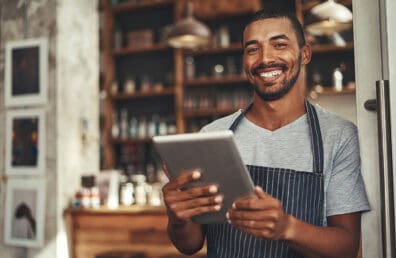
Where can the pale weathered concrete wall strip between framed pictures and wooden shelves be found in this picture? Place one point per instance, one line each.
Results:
(77, 98)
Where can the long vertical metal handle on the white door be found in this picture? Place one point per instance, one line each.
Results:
(386, 176)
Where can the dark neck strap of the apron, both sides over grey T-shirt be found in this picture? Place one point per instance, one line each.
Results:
(316, 135)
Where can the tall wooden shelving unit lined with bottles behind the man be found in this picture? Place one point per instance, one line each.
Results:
(185, 89)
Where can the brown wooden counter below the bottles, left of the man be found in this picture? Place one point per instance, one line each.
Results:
(122, 233)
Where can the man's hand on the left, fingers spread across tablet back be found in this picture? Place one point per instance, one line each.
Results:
(185, 202)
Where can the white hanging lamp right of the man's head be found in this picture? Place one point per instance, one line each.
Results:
(334, 18)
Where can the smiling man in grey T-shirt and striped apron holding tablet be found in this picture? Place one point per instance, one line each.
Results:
(304, 161)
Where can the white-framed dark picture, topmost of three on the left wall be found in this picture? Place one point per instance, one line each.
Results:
(26, 72)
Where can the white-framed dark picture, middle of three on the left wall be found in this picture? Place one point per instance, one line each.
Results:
(25, 142)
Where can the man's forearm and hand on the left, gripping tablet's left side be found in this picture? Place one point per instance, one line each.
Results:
(187, 236)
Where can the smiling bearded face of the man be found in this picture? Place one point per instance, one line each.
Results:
(272, 58)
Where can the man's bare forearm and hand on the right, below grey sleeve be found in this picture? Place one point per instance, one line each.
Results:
(263, 216)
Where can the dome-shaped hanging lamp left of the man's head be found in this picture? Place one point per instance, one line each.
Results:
(189, 32)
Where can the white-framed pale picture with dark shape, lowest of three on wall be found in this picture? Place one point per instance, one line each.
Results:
(24, 223)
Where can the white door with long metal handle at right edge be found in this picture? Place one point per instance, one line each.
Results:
(375, 60)
